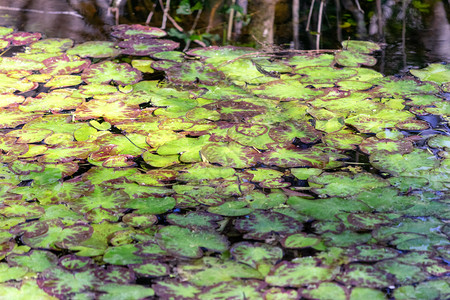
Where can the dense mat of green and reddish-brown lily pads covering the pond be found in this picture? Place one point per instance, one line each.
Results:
(240, 175)
